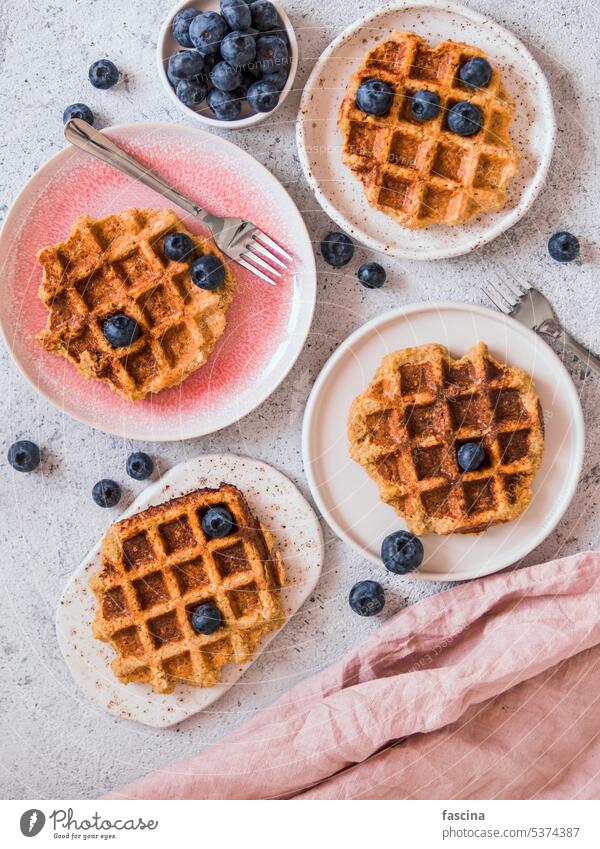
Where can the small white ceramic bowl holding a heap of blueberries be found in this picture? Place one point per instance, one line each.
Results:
(167, 45)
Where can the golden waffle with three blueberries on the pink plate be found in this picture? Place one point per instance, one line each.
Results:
(116, 264)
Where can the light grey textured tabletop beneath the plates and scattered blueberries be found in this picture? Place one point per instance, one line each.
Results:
(54, 744)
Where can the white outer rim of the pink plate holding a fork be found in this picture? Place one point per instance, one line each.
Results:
(308, 303)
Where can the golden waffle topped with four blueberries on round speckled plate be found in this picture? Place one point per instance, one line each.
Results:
(421, 173)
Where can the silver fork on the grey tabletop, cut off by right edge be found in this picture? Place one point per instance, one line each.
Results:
(516, 297)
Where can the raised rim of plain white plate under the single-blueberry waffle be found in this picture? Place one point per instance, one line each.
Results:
(402, 312)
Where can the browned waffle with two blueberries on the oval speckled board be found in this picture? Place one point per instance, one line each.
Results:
(158, 565)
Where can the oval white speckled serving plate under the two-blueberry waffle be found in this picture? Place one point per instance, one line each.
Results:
(283, 509)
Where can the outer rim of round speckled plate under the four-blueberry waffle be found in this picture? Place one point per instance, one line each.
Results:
(479, 239)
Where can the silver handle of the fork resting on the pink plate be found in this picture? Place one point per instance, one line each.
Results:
(84, 136)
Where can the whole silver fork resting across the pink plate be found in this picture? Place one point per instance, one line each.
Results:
(240, 240)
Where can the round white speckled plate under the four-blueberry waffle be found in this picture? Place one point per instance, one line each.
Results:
(320, 143)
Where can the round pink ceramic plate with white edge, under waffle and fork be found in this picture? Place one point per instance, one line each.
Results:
(266, 325)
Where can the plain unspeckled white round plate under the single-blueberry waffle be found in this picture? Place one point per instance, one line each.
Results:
(348, 498)
